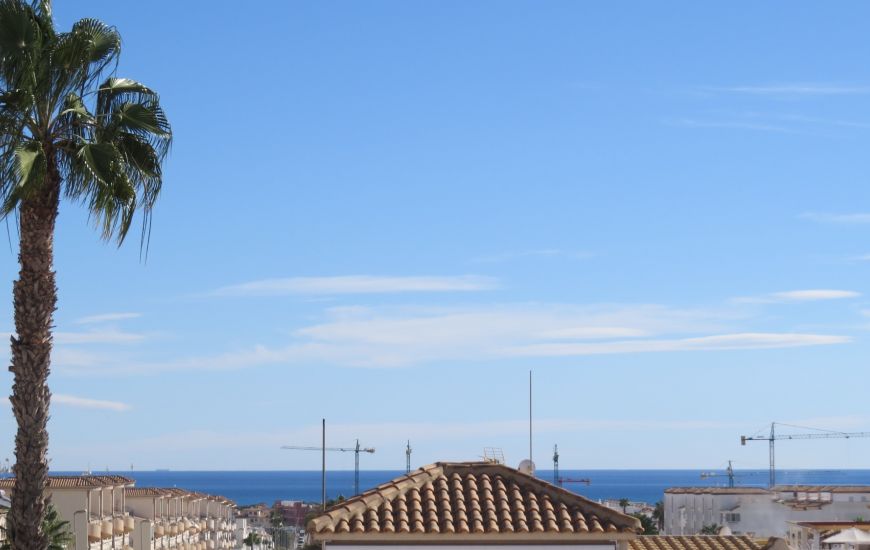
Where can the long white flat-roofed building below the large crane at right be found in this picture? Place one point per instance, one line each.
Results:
(761, 512)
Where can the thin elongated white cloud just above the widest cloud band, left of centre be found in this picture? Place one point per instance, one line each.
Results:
(358, 284)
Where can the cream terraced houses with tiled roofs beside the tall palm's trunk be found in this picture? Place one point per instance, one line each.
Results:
(107, 512)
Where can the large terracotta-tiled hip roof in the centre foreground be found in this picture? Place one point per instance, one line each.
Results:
(470, 499)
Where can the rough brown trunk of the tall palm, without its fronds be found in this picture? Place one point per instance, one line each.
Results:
(35, 297)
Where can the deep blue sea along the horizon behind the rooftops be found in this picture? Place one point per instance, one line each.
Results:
(642, 485)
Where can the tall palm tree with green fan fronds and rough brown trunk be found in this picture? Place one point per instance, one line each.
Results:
(65, 131)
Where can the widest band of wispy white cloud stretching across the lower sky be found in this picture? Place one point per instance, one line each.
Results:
(398, 337)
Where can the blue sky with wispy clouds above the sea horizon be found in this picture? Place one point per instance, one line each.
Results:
(387, 213)
